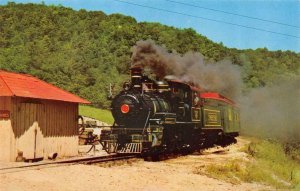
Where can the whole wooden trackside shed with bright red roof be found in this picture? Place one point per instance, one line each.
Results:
(36, 118)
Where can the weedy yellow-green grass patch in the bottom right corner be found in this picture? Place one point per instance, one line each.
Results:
(269, 163)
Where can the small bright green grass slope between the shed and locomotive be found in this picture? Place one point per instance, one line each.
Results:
(99, 114)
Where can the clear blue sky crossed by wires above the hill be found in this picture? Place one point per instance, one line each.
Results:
(276, 25)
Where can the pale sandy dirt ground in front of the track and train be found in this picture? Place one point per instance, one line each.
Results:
(170, 175)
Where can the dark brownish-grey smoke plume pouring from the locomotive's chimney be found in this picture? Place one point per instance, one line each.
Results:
(222, 77)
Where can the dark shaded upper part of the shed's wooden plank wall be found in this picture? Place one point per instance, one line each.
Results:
(55, 118)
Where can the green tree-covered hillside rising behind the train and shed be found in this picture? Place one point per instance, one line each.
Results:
(83, 51)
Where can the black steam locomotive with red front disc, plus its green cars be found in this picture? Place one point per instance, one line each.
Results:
(155, 117)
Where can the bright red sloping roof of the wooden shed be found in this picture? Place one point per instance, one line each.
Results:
(22, 85)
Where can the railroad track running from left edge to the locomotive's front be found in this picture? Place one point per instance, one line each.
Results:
(51, 164)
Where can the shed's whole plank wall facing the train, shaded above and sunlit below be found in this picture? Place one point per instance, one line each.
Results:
(40, 127)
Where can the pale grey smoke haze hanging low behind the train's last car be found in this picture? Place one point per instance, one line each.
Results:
(273, 112)
